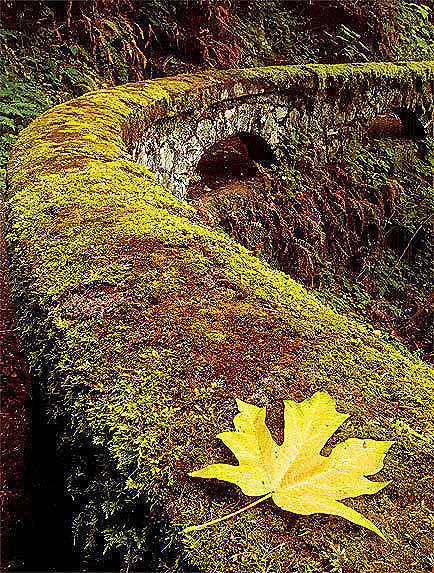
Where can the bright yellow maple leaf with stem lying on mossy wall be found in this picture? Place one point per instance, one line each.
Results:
(295, 474)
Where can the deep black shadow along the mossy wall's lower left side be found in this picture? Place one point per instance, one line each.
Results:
(67, 475)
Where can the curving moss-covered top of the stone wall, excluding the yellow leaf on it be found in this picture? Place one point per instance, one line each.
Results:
(147, 325)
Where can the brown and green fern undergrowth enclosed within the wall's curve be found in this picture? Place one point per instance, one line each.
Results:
(358, 232)
